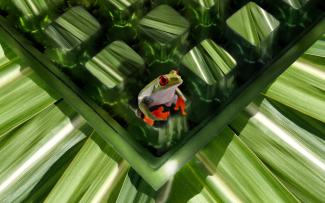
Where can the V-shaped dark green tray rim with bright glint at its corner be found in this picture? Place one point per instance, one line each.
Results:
(156, 171)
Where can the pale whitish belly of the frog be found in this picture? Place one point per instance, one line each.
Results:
(164, 97)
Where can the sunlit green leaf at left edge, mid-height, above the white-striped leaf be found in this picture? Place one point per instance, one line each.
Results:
(20, 96)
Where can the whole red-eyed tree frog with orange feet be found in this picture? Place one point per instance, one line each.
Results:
(162, 91)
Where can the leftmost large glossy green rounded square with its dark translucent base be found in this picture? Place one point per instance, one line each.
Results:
(68, 34)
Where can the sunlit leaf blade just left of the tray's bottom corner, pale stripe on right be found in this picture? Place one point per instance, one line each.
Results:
(92, 175)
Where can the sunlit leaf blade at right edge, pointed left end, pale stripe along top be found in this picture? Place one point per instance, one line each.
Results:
(291, 89)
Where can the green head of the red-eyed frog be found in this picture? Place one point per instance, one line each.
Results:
(172, 79)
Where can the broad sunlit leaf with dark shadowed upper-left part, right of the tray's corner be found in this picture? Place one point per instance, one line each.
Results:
(227, 171)
